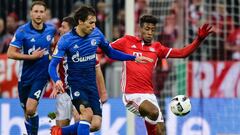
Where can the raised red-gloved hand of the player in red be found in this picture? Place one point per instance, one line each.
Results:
(204, 31)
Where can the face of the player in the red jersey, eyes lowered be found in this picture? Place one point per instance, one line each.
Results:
(147, 32)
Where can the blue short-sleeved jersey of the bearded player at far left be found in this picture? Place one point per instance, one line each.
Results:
(28, 39)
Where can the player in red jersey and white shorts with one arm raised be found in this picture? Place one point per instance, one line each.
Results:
(137, 87)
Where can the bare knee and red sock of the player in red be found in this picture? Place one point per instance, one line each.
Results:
(147, 109)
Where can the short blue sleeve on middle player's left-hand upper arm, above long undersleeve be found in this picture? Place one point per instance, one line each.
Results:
(60, 49)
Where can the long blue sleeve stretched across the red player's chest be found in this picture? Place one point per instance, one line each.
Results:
(112, 53)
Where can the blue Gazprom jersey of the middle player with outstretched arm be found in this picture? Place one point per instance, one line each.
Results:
(80, 54)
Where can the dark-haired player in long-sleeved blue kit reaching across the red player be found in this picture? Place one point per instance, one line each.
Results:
(80, 47)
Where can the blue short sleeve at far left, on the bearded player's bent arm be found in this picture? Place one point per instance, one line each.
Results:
(17, 40)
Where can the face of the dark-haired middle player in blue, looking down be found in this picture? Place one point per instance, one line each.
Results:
(87, 26)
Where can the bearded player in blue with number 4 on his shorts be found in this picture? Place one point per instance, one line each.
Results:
(31, 44)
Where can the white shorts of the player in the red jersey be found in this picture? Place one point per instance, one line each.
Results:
(133, 101)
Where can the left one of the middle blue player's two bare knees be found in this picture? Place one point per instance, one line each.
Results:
(86, 113)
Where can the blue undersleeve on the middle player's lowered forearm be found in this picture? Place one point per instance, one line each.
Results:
(52, 69)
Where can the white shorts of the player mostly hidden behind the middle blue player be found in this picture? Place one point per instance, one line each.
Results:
(64, 107)
